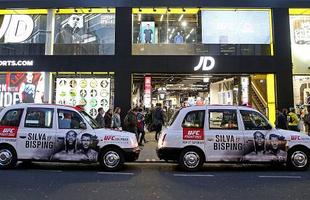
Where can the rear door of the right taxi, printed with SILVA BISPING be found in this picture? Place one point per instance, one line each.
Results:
(223, 136)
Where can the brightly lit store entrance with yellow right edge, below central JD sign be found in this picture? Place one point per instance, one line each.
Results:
(177, 90)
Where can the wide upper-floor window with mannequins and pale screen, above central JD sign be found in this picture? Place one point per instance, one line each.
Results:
(193, 31)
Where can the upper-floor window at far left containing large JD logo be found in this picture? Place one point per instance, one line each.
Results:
(23, 32)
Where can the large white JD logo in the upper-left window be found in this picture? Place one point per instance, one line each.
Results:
(16, 28)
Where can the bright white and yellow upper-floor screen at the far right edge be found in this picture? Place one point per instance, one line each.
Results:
(300, 43)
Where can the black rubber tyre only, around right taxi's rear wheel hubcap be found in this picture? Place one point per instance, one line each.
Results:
(186, 151)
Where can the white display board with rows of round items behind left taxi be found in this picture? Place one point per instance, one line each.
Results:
(89, 92)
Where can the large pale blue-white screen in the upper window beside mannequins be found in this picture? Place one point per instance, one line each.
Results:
(235, 27)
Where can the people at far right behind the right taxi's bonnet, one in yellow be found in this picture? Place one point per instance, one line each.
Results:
(290, 120)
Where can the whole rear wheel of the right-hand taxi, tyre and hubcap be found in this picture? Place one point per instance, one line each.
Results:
(191, 159)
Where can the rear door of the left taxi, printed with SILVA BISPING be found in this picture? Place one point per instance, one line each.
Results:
(36, 137)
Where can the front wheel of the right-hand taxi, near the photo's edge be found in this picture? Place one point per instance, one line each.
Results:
(298, 159)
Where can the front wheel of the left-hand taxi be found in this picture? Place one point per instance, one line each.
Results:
(112, 159)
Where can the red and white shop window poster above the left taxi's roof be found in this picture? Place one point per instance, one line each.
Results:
(21, 88)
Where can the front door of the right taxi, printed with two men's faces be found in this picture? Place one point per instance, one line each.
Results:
(262, 143)
